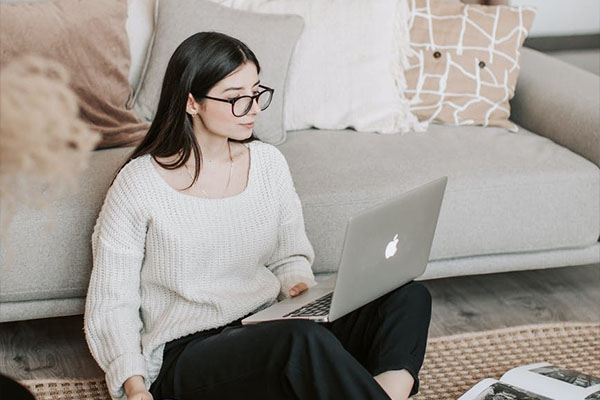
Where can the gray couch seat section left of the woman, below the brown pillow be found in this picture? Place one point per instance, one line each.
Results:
(48, 254)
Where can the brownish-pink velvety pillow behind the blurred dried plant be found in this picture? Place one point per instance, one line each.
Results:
(88, 37)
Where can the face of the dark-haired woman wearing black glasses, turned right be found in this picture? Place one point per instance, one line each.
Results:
(216, 117)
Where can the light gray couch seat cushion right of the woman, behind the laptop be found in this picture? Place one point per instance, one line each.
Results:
(506, 192)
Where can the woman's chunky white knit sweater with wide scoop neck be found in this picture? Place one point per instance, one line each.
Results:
(168, 264)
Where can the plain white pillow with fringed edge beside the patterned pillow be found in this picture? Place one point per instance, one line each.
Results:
(347, 70)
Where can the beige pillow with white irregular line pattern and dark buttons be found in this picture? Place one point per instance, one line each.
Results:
(464, 61)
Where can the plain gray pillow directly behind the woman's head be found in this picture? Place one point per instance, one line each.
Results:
(270, 37)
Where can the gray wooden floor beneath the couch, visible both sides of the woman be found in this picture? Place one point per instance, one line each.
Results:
(56, 347)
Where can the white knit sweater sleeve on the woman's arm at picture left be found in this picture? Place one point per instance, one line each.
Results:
(112, 322)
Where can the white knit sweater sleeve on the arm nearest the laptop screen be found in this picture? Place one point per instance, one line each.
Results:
(293, 257)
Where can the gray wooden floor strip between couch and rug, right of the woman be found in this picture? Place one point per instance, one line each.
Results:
(482, 302)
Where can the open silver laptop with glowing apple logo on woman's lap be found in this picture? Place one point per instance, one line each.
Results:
(385, 247)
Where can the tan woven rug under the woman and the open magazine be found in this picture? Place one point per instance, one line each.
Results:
(452, 364)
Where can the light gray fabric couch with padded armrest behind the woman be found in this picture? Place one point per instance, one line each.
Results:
(514, 201)
